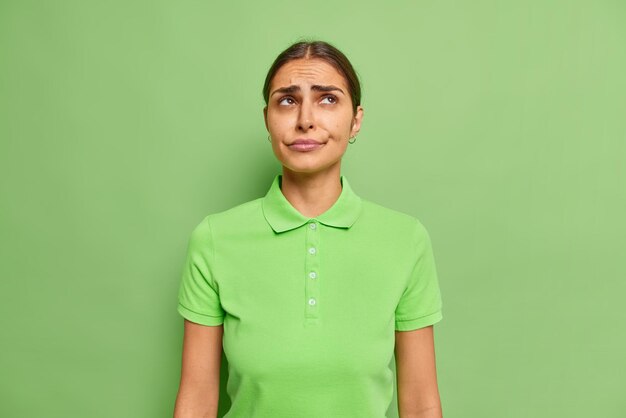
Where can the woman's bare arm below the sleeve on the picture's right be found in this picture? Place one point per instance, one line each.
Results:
(418, 394)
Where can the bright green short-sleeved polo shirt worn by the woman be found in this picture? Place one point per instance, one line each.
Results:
(310, 306)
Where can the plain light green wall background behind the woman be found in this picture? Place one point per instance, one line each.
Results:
(499, 124)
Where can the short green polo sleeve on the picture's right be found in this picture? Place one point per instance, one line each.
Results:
(420, 304)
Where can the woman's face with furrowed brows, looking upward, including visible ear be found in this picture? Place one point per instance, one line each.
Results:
(309, 116)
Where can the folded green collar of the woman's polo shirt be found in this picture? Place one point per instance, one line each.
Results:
(282, 216)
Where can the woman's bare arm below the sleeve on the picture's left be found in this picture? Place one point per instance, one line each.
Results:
(198, 393)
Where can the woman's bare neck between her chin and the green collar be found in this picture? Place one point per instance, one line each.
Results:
(311, 193)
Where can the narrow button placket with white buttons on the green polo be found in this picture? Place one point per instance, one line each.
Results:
(311, 272)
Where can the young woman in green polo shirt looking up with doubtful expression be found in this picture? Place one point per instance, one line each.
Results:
(310, 289)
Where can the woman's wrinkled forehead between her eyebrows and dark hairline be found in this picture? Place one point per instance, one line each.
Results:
(307, 71)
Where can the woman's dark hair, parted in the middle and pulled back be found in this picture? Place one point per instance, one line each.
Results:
(321, 50)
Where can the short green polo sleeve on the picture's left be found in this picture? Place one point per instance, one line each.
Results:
(198, 296)
